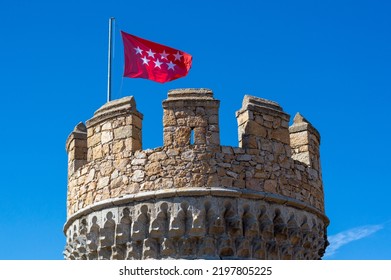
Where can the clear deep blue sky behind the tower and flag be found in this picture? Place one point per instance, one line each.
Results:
(330, 60)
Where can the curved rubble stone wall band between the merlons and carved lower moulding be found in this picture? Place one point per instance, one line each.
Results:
(164, 168)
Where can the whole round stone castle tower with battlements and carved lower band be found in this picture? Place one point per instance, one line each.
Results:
(193, 198)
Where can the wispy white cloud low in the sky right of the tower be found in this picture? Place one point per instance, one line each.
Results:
(340, 239)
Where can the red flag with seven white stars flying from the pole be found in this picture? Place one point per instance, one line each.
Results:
(149, 60)
